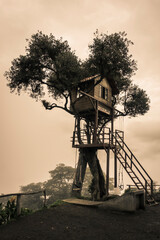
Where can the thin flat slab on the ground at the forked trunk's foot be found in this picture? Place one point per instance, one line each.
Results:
(82, 202)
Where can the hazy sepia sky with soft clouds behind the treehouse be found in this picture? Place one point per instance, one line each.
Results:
(34, 140)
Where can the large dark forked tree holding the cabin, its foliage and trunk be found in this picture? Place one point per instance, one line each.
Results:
(51, 69)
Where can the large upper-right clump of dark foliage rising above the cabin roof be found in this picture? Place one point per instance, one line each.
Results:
(109, 56)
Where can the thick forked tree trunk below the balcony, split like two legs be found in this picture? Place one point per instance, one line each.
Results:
(89, 155)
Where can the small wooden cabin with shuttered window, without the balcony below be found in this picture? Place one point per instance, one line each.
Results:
(93, 94)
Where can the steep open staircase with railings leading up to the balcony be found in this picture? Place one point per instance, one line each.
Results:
(134, 169)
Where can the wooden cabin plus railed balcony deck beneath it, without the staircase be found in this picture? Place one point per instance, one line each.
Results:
(92, 101)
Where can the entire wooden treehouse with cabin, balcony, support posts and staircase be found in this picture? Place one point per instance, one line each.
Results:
(92, 104)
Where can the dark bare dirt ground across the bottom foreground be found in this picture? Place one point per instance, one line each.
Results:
(71, 222)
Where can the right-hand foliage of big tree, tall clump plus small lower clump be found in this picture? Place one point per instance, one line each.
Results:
(109, 56)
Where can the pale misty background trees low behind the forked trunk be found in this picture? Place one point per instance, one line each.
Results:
(58, 186)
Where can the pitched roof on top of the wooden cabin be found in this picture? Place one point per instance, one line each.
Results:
(109, 79)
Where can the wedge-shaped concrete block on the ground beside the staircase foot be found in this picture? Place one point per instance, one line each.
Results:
(129, 202)
